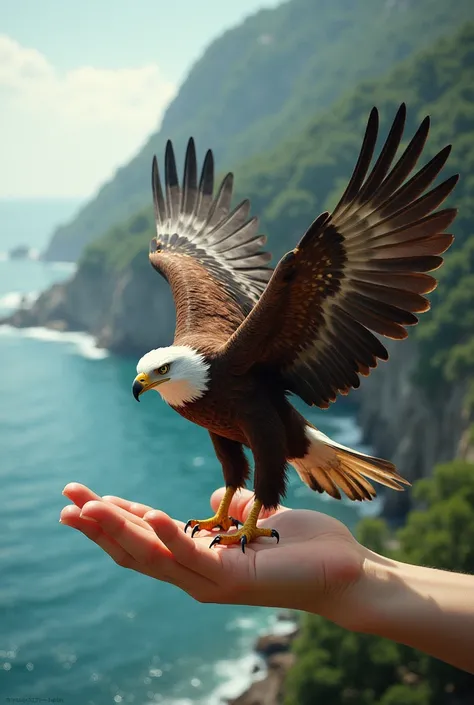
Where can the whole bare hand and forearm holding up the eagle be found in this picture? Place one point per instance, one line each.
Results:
(318, 567)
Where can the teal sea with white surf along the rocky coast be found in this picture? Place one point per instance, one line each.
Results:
(74, 627)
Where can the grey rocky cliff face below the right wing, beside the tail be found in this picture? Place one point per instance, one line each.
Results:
(414, 427)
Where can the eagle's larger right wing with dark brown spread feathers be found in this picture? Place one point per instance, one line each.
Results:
(361, 269)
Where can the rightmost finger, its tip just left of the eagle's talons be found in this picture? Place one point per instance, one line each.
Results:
(191, 553)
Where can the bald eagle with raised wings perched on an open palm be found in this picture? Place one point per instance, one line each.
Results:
(248, 336)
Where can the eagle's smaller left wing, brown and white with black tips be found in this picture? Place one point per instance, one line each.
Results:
(211, 256)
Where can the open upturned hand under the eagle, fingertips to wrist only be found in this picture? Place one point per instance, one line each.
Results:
(318, 566)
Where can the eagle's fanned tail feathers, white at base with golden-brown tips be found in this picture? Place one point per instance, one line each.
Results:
(331, 467)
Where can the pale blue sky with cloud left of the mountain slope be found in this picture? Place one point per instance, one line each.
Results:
(83, 84)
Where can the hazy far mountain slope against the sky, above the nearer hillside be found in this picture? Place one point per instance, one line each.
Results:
(260, 82)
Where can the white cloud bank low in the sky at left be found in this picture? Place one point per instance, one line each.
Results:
(64, 134)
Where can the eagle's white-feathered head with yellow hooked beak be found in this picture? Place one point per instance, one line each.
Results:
(179, 373)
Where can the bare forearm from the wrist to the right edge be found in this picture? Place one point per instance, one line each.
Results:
(427, 609)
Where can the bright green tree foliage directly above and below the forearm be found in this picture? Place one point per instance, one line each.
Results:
(343, 668)
